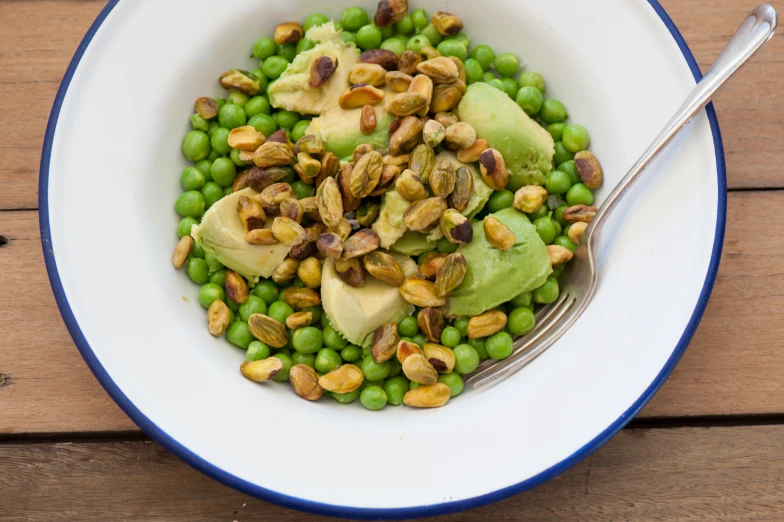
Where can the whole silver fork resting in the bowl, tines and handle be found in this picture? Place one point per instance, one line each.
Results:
(579, 279)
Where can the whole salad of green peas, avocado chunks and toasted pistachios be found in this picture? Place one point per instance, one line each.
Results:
(379, 206)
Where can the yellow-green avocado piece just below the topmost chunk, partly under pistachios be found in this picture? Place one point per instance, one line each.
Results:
(339, 130)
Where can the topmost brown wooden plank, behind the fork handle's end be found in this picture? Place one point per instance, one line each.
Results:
(36, 50)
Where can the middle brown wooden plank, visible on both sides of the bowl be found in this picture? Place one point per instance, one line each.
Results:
(733, 365)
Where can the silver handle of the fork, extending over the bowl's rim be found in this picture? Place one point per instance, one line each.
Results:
(755, 31)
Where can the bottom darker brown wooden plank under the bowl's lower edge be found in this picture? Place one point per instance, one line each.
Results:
(639, 475)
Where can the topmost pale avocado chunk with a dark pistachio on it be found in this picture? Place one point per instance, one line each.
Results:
(292, 91)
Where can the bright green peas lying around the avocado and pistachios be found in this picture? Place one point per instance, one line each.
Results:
(214, 169)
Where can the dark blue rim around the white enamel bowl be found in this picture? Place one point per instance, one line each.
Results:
(346, 511)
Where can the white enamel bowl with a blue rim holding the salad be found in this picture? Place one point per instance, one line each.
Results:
(110, 175)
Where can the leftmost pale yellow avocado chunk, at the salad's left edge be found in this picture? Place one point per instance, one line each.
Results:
(222, 234)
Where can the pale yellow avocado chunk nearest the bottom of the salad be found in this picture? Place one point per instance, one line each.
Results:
(357, 312)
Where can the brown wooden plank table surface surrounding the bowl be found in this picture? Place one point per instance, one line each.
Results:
(710, 445)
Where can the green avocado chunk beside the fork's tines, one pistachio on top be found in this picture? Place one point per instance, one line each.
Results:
(495, 276)
